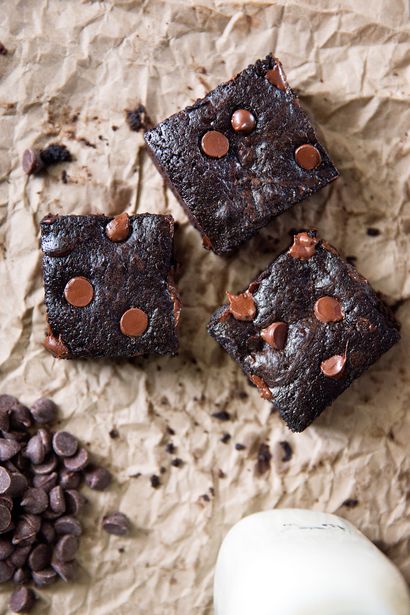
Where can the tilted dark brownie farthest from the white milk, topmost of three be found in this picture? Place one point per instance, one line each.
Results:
(241, 156)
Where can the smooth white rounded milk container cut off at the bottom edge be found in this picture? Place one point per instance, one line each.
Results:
(303, 562)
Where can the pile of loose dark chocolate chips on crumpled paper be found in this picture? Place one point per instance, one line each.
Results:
(40, 475)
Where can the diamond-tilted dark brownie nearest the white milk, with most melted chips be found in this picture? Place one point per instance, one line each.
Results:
(305, 329)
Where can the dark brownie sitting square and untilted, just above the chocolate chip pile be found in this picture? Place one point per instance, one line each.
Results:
(108, 285)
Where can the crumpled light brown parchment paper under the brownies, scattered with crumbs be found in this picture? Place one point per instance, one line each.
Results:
(72, 69)
